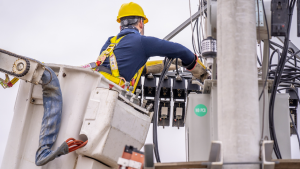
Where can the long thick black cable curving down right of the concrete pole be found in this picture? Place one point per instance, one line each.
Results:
(278, 73)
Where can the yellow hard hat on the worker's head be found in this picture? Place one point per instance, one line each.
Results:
(131, 9)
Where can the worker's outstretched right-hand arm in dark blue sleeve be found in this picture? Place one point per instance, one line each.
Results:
(158, 47)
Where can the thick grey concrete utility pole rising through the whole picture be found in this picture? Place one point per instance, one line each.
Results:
(238, 111)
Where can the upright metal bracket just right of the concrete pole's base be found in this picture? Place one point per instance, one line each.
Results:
(266, 154)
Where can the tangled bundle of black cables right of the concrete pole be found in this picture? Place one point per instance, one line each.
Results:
(283, 75)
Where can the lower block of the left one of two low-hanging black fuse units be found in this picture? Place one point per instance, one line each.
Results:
(164, 114)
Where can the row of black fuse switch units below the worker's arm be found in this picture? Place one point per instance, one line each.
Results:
(172, 97)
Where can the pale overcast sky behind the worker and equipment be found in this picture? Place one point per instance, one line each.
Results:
(72, 32)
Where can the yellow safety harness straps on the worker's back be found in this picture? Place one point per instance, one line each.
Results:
(115, 75)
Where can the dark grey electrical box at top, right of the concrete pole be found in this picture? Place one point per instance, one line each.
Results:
(279, 17)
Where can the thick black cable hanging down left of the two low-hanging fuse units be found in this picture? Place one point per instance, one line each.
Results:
(156, 102)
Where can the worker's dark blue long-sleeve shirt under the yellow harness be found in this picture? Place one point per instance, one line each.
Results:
(133, 51)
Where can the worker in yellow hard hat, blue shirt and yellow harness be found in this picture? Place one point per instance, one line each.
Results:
(122, 57)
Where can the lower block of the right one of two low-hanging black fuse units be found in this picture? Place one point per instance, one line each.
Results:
(178, 114)
